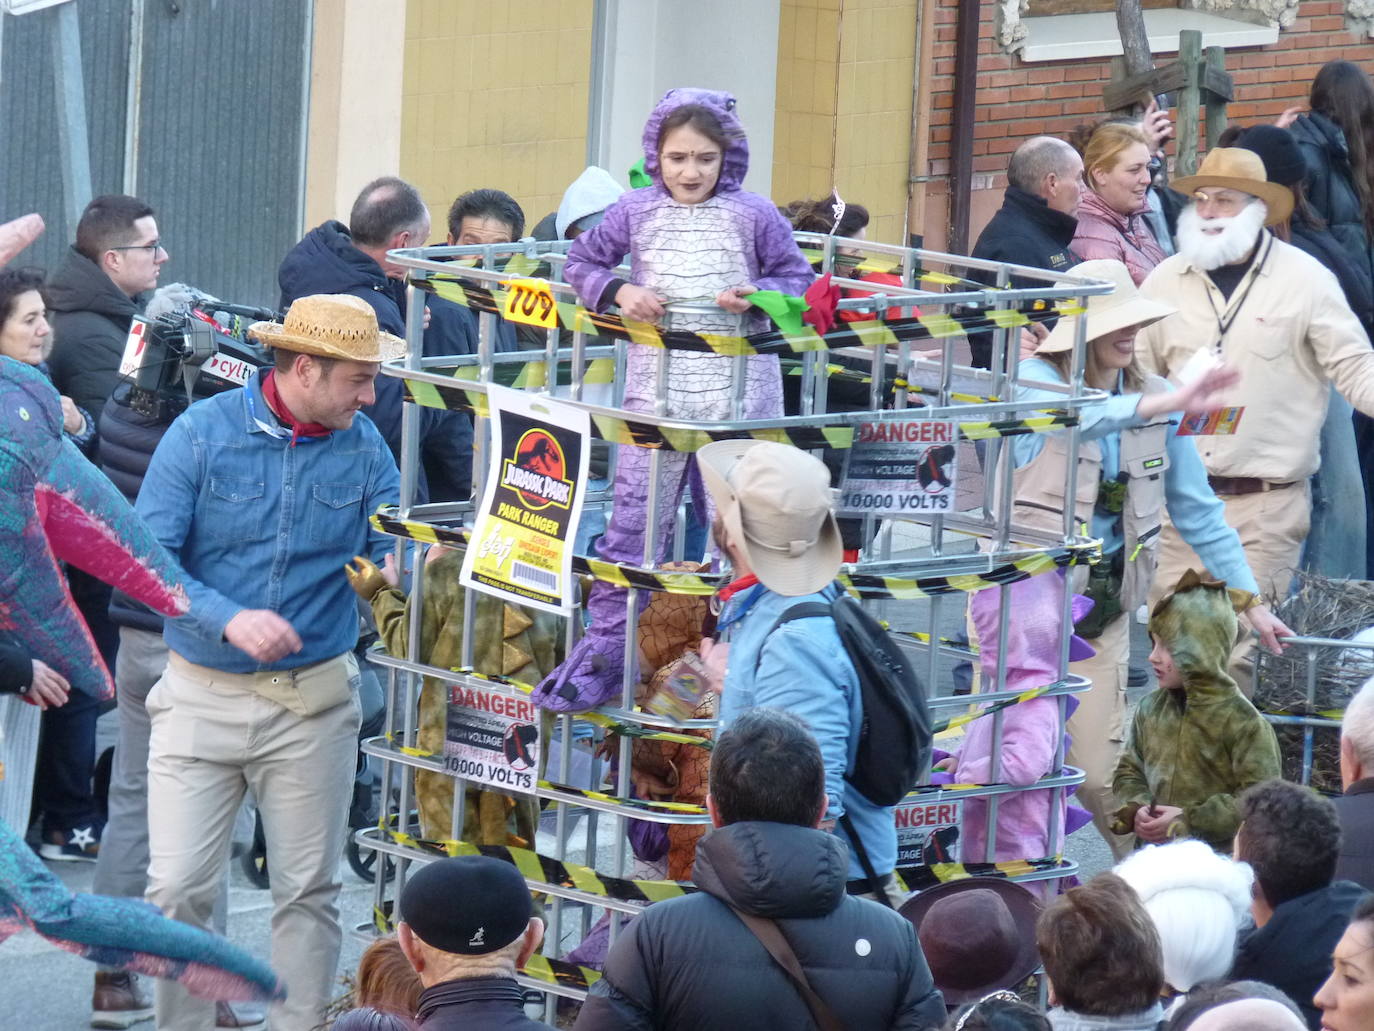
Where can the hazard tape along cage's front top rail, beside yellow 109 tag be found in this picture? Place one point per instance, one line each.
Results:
(844, 335)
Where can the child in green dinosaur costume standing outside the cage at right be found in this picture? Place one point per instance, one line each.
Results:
(1196, 743)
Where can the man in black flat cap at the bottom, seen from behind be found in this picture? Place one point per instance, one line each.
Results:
(466, 927)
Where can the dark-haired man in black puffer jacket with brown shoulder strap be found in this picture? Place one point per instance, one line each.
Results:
(692, 963)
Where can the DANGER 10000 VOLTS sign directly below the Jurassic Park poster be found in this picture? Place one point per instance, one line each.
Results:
(491, 739)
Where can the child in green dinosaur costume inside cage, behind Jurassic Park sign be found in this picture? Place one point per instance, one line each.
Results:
(508, 640)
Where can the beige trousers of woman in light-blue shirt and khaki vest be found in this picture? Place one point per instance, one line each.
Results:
(1097, 728)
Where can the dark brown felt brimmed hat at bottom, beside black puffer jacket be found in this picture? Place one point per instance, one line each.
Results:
(978, 935)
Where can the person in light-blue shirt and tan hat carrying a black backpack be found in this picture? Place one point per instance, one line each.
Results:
(776, 523)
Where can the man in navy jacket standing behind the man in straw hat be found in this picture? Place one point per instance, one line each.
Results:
(337, 259)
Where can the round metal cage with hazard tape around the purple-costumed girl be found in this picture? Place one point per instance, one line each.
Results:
(916, 571)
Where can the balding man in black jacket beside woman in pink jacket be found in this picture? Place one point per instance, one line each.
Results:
(1037, 221)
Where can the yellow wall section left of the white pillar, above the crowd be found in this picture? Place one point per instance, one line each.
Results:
(495, 97)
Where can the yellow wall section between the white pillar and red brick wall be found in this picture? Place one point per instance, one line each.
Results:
(844, 105)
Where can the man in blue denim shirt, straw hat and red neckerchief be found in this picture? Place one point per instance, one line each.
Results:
(263, 496)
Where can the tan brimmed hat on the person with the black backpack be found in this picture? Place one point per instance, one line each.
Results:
(777, 505)
